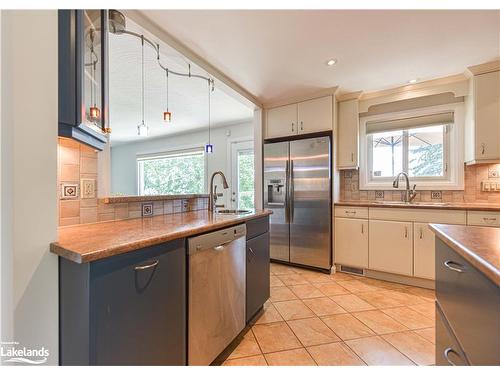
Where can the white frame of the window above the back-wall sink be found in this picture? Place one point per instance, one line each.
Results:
(453, 178)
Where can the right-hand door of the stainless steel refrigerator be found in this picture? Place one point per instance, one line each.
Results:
(310, 203)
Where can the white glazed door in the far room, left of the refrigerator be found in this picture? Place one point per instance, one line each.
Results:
(242, 176)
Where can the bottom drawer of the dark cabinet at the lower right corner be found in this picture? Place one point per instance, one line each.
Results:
(448, 350)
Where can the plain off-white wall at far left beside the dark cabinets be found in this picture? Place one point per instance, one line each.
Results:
(29, 175)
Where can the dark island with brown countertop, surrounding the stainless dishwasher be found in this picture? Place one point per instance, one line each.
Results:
(123, 285)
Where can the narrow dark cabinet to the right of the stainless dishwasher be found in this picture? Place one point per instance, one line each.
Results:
(257, 266)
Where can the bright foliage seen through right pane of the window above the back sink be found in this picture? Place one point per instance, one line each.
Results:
(427, 160)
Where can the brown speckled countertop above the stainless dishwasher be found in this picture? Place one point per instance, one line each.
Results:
(89, 242)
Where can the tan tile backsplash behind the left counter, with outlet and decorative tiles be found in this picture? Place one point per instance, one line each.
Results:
(77, 162)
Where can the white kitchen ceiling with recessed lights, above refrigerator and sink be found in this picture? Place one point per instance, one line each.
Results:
(282, 53)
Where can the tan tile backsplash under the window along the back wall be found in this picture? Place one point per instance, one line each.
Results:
(474, 175)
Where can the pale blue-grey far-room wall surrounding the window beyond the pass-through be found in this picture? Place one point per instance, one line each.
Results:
(123, 158)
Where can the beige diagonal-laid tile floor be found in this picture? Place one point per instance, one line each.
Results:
(317, 319)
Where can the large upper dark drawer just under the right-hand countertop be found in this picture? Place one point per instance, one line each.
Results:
(470, 303)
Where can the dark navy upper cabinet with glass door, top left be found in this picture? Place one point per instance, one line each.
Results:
(83, 76)
